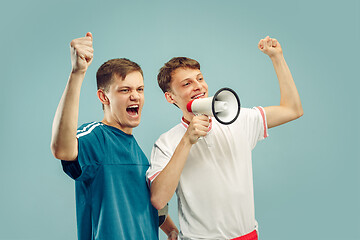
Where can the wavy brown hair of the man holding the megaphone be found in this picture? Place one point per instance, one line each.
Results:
(164, 76)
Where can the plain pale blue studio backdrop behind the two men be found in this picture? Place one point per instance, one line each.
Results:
(306, 174)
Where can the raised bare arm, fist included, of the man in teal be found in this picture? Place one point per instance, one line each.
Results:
(63, 138)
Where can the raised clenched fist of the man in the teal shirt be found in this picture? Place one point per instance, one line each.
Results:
(82, 53)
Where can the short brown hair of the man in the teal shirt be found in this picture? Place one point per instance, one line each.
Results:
(119, 67)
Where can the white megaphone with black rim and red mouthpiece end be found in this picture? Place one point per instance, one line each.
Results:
(224, 106)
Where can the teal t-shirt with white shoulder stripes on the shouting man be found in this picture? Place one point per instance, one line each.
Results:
(112, 196)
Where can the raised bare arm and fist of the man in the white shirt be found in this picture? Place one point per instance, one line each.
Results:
(290, 105)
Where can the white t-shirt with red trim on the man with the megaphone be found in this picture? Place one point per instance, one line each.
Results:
(215, 191)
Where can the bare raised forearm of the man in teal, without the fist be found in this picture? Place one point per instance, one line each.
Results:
(63, 141)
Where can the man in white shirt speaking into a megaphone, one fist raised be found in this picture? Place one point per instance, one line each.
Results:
(208, 164)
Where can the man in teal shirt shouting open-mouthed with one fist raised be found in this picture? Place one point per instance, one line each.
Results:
(104, 159)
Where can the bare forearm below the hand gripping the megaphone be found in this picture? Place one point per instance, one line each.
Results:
(164, 186)
